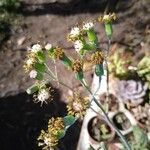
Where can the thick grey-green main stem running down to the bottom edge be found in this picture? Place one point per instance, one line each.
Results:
(107, 118)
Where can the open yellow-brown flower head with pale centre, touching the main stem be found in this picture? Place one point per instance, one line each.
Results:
(77, 105)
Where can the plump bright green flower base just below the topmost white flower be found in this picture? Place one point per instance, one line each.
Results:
(92, 36)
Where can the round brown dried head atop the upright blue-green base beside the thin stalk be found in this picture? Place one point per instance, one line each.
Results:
(97, 57)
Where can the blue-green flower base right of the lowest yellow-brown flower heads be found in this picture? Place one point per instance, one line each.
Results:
(69, 120)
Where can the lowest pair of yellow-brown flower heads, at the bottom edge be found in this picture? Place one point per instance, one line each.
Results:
(49, 139)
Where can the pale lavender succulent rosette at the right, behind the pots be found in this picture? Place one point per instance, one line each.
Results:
(129, 91)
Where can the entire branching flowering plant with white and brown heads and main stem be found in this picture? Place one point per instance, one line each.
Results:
(86, 44)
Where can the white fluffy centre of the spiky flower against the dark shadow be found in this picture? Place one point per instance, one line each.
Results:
(43, 95)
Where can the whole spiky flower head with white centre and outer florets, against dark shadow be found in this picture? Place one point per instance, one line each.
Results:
(44, 95)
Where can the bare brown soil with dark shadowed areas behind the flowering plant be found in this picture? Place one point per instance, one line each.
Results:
(49, 21)
